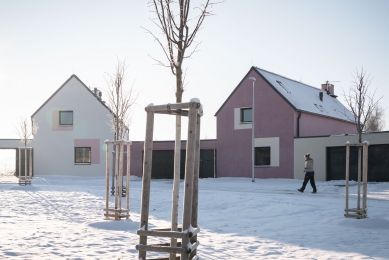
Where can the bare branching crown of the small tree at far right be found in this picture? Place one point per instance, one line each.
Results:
(360, 101)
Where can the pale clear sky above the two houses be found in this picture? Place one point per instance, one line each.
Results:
(42, 43)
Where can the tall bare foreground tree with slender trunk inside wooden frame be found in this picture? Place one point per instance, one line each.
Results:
(172, 19)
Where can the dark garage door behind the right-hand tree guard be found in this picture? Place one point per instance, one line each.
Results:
(378, 163)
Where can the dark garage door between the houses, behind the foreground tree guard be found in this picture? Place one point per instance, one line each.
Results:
(163, 164)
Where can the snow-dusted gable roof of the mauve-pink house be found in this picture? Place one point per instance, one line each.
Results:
(302, 97)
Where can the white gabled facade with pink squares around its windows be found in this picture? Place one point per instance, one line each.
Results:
(54, 144)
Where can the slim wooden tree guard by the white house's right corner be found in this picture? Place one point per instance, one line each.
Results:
(117, 212)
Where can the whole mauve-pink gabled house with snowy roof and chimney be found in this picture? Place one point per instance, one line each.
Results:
(284, 109)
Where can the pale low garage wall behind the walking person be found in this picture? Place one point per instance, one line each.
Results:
(317, 147)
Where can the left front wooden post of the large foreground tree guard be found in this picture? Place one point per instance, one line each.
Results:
(147, 167)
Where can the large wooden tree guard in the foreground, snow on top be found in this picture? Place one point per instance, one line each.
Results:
(188, 233)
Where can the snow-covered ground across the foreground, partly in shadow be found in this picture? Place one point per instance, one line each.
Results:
(62, 218)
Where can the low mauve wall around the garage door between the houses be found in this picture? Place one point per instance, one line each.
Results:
(138, 146)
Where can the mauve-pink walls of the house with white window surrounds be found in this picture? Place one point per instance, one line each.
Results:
(275, 117)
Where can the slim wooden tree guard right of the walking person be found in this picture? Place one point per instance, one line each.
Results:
(357, 212)
